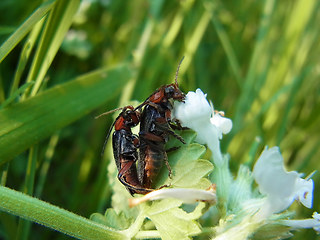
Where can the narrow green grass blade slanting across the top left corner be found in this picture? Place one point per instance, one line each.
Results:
(22, 31)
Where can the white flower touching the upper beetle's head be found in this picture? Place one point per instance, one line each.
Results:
(195, 113)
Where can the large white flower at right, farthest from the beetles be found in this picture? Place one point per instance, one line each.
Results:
(280, 187)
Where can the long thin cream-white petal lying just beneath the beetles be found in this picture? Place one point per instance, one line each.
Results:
(184, 194)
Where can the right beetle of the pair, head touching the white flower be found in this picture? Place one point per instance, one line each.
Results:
(155, 128)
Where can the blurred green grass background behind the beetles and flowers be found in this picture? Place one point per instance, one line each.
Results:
(258, 61)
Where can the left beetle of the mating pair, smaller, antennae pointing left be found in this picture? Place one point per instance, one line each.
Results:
(125, 145)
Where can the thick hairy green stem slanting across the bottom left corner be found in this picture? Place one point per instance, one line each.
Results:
(53, 217)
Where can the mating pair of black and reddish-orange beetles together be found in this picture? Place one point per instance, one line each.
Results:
(154, 116)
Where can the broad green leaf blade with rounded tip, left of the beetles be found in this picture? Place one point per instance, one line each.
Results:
(28, 122)
